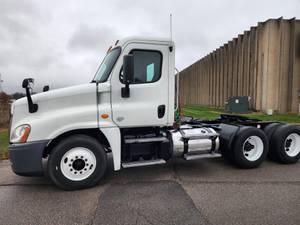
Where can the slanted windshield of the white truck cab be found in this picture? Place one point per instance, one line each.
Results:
(107, 65)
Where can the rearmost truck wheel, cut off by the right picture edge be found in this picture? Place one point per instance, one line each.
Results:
(285, 144)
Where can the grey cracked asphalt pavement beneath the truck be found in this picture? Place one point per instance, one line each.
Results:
(207, 191)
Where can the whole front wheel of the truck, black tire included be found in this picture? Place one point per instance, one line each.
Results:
(77, 162)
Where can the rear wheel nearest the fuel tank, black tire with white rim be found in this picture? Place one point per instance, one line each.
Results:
(250, 147)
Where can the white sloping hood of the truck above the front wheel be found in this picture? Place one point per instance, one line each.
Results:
(59, 110)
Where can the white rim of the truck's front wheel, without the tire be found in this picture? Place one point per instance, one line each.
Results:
(78, 164)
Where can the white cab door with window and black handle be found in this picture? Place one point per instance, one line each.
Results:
(148, 101)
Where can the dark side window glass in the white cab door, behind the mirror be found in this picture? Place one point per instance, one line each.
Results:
(147, 66)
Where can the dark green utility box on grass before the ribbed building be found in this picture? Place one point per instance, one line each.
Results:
(237, 104)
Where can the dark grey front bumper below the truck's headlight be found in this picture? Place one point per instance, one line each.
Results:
(26, 158)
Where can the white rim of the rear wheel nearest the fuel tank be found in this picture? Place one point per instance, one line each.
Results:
(253, 148)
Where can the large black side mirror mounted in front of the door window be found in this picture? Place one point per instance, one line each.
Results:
(128, 71)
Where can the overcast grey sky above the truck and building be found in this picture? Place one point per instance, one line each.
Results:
(62, 42)
